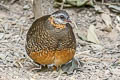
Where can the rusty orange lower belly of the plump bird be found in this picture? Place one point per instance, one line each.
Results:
(53, 57)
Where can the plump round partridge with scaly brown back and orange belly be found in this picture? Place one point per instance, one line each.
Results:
(51, 40)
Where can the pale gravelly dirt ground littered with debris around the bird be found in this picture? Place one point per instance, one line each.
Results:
(101, 61)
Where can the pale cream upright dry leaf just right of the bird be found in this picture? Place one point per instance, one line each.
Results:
(92, 35)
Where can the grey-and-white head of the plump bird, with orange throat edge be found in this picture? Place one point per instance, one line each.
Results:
(59, 18)
